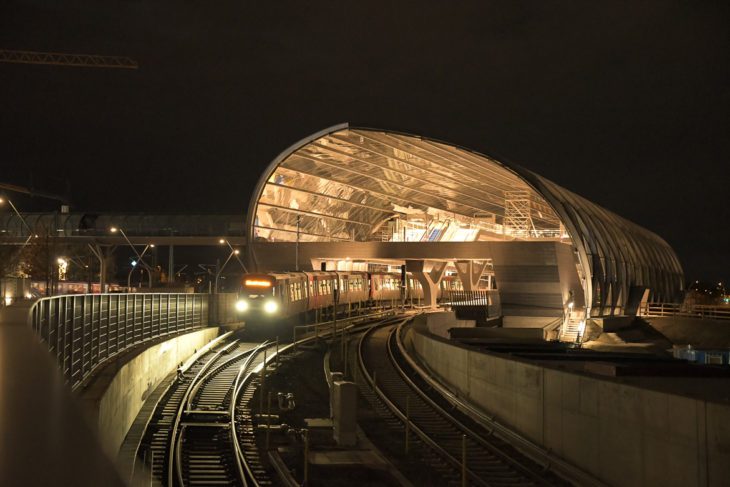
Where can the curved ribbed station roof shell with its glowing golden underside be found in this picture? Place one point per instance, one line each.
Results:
(361, 184)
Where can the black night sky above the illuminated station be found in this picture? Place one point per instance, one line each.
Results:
(626, 103)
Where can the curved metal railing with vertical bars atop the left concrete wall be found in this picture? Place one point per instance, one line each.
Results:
(85, 331)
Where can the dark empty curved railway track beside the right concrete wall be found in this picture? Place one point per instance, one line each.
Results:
(489, 461)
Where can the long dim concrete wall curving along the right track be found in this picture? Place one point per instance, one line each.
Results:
(621, 434)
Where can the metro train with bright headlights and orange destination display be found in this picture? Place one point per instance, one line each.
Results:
(291, 298)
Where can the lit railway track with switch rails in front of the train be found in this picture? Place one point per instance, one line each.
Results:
(201, 432)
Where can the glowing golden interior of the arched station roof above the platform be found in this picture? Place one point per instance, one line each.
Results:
(364, 185)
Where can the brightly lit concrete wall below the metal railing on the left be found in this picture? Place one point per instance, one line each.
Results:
(115, 397)
